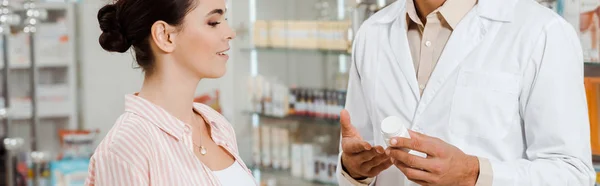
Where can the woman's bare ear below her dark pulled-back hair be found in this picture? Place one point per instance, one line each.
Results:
(163, 35)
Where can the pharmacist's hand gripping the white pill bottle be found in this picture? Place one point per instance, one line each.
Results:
(445, 164)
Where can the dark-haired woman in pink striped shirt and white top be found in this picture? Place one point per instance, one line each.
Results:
(163, 138)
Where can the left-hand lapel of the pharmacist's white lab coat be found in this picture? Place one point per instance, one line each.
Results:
(399, 45)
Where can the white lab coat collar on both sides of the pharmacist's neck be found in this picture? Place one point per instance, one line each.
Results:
(499, 10)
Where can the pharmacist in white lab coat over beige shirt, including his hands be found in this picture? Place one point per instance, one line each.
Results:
(491, 90)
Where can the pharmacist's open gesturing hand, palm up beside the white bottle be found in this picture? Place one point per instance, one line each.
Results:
(359, 159)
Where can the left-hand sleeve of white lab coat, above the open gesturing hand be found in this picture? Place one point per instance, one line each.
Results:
(357, 108)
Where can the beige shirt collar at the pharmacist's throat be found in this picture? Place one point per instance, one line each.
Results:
(452, 11)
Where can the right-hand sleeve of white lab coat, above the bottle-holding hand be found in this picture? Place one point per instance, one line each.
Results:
(554, 114)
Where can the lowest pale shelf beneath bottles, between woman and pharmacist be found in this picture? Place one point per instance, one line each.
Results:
(283, 178)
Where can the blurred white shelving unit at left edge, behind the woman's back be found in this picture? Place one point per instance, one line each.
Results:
(56, 68)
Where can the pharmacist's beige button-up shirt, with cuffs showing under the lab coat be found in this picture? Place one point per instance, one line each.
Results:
(427, 41)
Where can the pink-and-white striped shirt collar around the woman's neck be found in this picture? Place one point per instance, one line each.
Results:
(160, 117)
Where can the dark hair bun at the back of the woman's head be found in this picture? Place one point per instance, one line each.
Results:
(111, 39)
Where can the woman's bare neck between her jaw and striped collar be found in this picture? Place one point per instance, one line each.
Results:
(173, 90)
